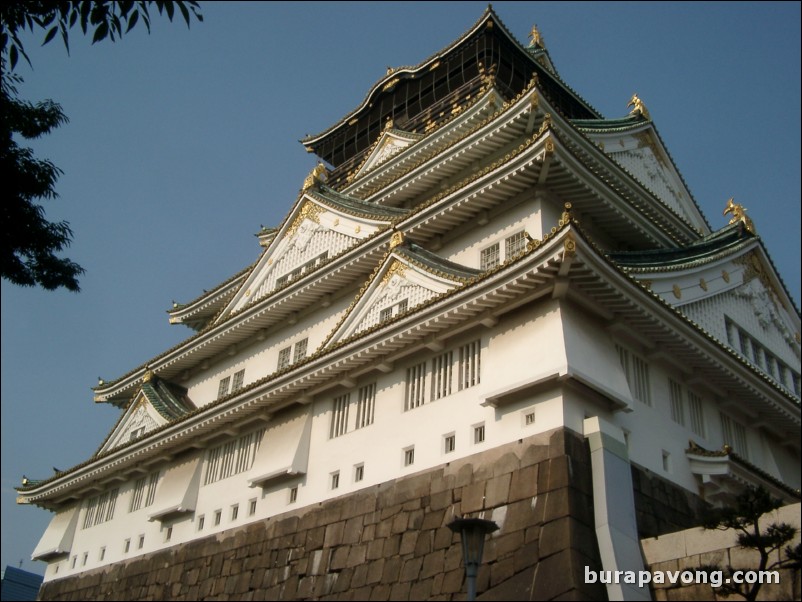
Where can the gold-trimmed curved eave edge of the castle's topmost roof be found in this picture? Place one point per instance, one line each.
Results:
(408, 72)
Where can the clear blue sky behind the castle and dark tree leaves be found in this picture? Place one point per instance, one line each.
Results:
(182, 143)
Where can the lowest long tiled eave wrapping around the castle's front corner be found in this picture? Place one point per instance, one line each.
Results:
(594, 283)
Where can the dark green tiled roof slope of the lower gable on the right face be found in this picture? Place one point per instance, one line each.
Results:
(709, 246)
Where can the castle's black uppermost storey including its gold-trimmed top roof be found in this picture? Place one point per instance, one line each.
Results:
(409, 95)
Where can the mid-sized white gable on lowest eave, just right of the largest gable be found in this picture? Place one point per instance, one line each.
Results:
(407, 278)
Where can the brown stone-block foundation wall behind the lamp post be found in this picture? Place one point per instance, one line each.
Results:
(391, 541)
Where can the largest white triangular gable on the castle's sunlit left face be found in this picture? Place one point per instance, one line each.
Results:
(320, 226)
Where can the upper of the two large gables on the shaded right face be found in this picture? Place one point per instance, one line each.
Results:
(636, 146)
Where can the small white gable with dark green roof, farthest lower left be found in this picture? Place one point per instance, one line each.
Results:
(155, 404)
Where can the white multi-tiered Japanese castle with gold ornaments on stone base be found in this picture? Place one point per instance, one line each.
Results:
(487, 301)
